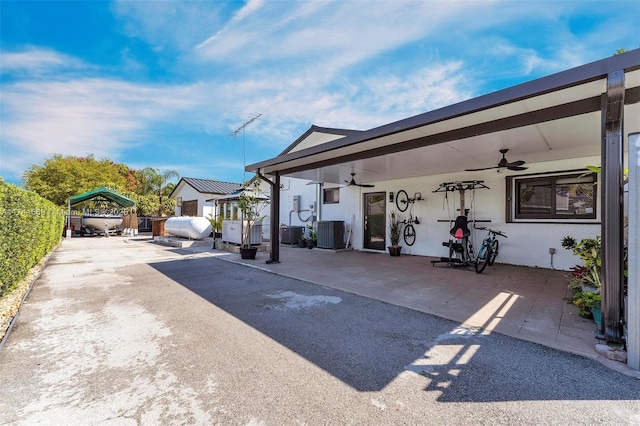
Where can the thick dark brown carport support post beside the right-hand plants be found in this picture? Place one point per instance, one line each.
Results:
(612, 212)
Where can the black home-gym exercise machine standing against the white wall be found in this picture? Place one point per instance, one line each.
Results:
(460, 249)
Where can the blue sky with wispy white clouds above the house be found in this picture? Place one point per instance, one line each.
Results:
(163, 83)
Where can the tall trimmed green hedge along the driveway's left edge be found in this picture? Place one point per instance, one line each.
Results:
(30, 227)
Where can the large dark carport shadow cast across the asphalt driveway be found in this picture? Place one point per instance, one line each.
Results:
(368, 344)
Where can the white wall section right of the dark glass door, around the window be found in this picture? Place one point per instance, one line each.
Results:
(527, 243)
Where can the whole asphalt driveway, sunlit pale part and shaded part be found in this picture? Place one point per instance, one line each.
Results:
(123, 331)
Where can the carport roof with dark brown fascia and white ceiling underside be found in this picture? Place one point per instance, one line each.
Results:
(551, 118)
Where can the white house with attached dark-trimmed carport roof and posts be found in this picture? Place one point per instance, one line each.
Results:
(515, 158)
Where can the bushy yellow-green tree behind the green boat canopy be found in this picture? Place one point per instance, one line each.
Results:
(63, 177)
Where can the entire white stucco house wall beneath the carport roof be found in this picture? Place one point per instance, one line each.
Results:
(527, 243)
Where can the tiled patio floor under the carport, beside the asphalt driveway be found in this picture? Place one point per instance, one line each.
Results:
(521, 302)
